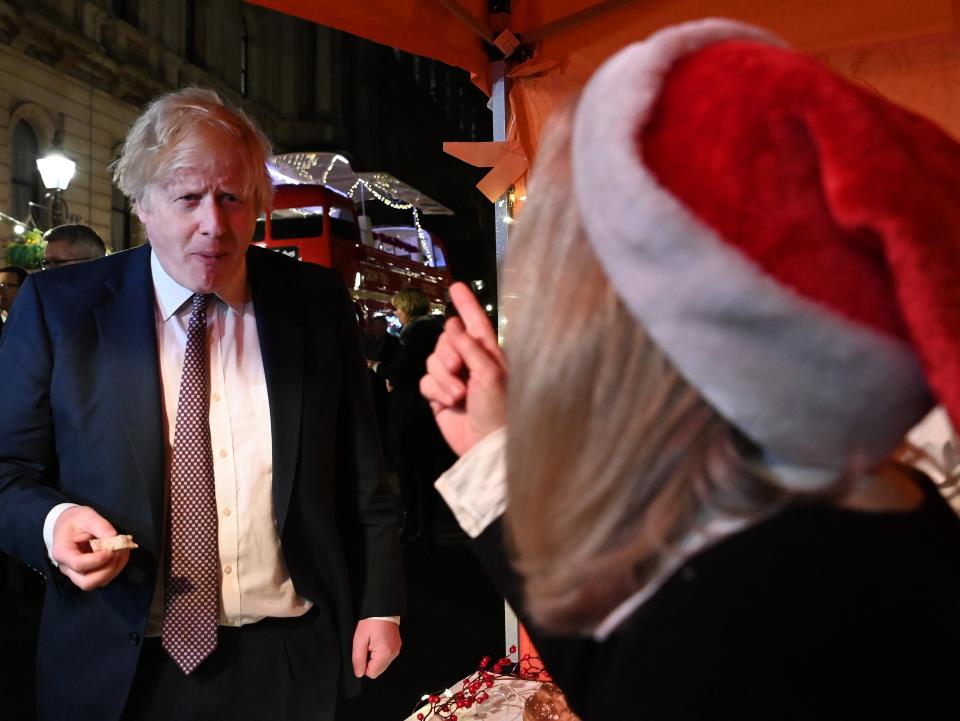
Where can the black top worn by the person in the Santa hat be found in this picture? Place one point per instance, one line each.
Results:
(816, 613)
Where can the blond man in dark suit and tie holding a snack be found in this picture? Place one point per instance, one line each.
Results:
(202, 407)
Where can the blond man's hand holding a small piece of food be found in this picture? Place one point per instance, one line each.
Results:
(71, 548)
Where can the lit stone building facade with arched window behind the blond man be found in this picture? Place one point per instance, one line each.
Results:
(80, 71)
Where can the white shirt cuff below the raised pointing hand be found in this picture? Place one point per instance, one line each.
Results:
(475, 487)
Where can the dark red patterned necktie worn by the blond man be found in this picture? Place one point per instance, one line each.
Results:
(190, 614)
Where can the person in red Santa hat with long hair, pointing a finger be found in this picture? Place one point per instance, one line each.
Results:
(753, 268)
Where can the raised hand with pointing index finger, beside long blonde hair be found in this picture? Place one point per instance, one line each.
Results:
(466, 380)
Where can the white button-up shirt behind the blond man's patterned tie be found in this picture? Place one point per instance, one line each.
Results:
(254, 582)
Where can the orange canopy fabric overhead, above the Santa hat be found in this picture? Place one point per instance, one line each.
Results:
(906, 51)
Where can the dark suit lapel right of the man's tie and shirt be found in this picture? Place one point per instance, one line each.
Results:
(279, 310)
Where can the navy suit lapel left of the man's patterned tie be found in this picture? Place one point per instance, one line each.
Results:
(128, 335)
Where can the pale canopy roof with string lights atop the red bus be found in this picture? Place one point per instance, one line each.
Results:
(334, 171)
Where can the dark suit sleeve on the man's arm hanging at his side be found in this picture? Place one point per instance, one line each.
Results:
(374, 549)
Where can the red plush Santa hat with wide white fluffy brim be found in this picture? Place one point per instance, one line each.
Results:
(789, 240)
